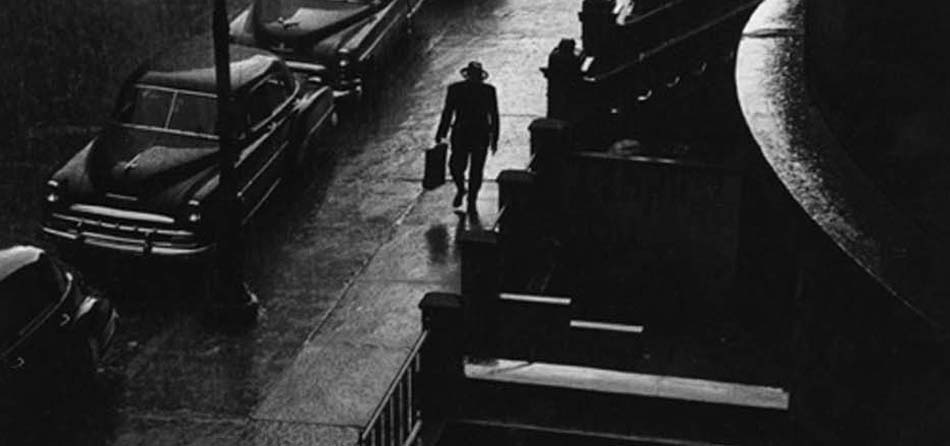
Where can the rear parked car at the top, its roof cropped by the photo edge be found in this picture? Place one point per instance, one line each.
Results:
(339, 41)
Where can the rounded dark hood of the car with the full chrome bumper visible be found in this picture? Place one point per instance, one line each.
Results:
(153, 172)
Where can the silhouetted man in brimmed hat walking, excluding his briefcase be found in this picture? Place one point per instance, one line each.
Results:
(471, 109)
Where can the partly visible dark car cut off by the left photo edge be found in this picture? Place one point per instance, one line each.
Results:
(48, 320)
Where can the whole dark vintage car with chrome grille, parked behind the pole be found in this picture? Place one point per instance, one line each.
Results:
(148, 183)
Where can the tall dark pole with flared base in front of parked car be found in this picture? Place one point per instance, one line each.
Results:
(232, 303)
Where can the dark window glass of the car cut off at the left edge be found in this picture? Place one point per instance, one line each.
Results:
(24, 295)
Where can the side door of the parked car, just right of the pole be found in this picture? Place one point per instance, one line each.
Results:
(260, 167)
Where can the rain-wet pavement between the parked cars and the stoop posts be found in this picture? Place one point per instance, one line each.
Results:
(339, 263)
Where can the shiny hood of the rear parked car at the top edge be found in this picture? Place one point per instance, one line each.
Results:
(301, 22)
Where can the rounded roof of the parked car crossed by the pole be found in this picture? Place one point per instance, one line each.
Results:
(191, 67)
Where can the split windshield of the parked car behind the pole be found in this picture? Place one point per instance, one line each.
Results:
(173, 110)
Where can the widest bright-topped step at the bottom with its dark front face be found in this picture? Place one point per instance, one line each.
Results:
(636, 408)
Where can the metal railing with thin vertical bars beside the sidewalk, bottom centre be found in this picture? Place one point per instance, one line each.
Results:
(397, 420)
